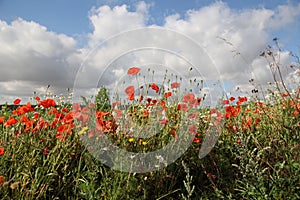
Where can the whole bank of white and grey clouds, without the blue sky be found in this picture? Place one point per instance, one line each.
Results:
(32, 57)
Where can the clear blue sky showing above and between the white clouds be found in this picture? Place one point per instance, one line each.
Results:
(71, 16)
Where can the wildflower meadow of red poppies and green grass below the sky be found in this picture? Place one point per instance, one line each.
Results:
(257, 156)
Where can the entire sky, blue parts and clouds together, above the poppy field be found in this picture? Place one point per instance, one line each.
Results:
(82, 45)
